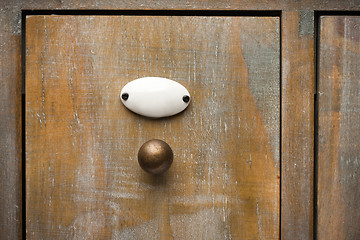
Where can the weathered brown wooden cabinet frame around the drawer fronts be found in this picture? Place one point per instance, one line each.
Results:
(296, 146)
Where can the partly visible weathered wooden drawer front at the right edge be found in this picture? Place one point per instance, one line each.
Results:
(339, 128)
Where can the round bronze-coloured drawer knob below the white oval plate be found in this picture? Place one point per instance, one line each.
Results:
(155, 156)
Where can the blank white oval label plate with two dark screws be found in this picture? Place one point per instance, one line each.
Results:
(155, 97)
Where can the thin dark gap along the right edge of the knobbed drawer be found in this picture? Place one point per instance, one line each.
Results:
(280, 138)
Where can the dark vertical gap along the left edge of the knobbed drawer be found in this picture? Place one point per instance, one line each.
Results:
(23, 132)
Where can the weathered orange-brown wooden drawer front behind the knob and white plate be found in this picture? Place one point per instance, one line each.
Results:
(82, 176)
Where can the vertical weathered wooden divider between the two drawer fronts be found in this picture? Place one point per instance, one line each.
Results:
(298, 90)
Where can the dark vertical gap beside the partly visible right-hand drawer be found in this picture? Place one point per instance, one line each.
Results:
(316, 119)
